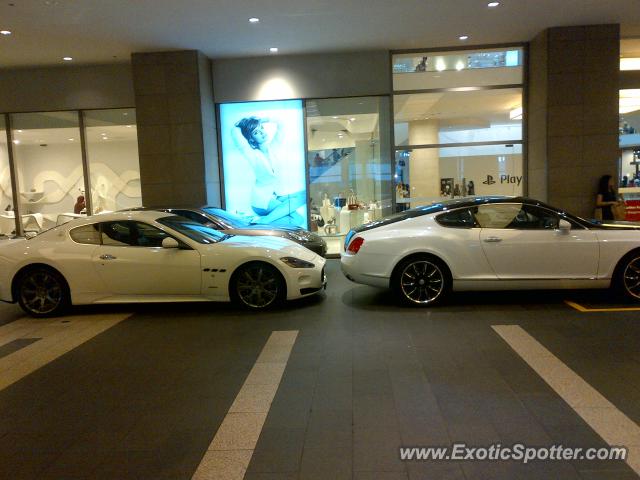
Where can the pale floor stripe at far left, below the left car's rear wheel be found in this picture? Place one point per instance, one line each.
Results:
(57, 337)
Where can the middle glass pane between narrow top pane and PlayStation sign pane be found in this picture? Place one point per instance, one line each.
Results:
(458, 117)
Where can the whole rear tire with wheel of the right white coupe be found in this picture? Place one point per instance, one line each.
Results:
(421, 281)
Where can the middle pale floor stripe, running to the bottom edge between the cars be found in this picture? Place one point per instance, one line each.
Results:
(230, 452)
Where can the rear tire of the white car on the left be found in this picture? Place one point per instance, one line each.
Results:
(42, 292)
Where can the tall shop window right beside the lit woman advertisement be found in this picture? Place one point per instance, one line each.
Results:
(350, 177)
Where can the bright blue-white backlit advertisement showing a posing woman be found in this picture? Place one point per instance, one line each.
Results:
(263, 158)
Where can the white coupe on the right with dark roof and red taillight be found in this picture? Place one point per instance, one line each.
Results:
(491, 243)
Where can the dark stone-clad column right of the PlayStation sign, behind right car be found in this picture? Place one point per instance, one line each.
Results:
(573, 114)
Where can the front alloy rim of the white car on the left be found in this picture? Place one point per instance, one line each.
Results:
(258, 285)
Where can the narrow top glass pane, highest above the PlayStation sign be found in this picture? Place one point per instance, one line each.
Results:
(461, 68)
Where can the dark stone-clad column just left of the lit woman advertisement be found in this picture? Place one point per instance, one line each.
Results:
(176, 129)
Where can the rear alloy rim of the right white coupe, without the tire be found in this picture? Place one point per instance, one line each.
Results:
(422, 282)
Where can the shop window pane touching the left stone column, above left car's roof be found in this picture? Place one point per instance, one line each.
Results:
(112, 154)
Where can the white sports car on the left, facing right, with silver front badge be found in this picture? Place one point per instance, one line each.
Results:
(152, 257)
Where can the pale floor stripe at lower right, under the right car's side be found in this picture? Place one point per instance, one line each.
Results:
(601, 415)
